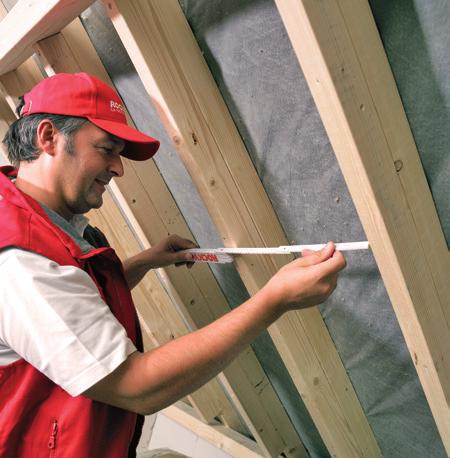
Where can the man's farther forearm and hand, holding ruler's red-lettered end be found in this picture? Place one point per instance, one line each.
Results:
(163, 254)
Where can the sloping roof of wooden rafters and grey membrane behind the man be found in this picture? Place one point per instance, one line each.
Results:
(281, 122)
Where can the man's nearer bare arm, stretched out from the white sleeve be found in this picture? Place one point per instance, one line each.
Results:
(147, 382)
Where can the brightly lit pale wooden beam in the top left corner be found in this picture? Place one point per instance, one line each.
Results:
(30, 21)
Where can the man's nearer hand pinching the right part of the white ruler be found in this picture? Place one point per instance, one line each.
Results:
(307, 281)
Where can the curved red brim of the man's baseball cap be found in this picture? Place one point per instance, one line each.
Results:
(139, 146)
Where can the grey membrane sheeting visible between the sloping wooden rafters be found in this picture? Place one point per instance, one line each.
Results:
(249, 54)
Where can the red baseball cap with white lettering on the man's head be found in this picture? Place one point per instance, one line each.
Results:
(80, 94)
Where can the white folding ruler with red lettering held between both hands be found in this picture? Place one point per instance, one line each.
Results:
(223, 255)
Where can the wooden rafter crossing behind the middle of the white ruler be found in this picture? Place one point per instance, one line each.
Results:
(170, 64)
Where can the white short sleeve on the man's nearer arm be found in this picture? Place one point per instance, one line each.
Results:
(54, 318)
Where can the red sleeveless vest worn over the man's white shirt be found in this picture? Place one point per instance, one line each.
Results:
(37, 417)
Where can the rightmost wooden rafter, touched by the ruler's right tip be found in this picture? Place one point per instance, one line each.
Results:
(343, 59)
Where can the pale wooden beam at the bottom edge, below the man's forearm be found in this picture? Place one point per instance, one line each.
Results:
(221, 437)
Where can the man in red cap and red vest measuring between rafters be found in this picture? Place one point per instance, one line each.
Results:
(72, 372)
